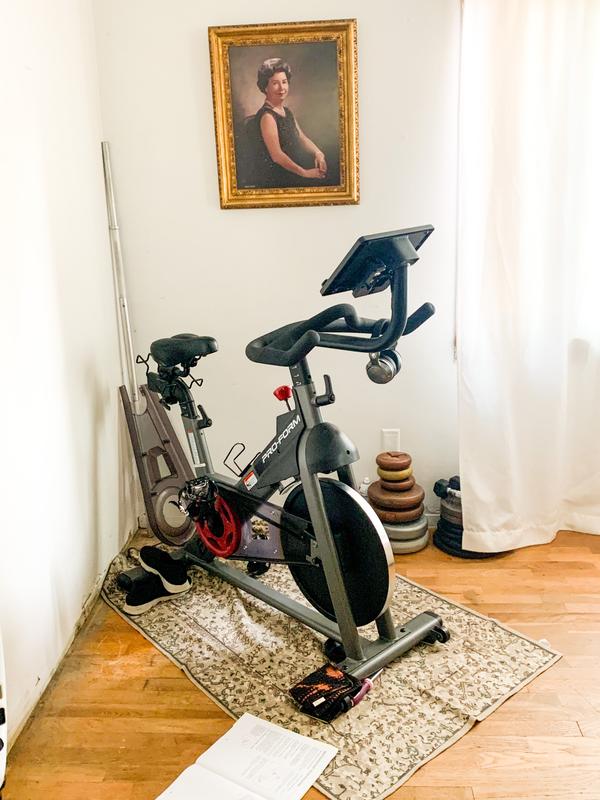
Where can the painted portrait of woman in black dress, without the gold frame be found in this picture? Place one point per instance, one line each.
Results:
(286, 116)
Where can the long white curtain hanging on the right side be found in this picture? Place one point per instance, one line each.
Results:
(528, 296)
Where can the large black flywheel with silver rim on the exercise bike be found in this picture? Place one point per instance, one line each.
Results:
(363, 548)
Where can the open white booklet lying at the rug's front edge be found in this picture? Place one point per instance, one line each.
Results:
(254, 760)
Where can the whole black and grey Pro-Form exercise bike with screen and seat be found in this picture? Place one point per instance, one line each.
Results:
(329, 537)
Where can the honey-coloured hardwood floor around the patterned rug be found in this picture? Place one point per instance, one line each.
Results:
(120, 721)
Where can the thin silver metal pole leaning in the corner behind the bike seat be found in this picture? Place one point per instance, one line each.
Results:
(128, 368)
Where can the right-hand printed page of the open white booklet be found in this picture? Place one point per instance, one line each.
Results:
(268, 760)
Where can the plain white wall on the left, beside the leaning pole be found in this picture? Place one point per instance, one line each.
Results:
(60, 363)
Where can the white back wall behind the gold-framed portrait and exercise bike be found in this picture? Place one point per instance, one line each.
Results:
(234, 274)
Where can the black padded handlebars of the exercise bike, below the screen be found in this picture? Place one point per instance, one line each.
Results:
(335, 327)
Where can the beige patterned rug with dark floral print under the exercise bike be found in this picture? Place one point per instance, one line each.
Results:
(245, 655)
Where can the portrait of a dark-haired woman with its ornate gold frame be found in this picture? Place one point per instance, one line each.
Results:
(286, 113)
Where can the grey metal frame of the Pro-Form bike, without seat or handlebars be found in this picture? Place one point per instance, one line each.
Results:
(316, 447)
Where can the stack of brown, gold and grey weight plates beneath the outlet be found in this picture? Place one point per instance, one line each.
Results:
(398, 502)
